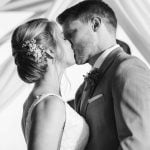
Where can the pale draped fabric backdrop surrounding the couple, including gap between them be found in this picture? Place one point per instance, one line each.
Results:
(134, 29)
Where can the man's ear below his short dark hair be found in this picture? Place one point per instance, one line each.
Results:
(96, 23)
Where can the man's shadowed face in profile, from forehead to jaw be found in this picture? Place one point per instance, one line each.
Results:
(80, 36)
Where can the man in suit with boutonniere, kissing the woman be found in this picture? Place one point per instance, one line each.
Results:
(115, 97)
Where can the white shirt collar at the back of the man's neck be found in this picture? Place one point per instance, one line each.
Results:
(102, 57)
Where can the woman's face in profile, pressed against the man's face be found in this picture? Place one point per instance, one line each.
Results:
(64, 47)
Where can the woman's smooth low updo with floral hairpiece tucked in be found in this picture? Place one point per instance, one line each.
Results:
(31, 43)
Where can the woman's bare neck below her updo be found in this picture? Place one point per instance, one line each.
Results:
(51, 81)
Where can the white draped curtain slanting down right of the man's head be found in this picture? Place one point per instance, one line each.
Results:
(134, 17)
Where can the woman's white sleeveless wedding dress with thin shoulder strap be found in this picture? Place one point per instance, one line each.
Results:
(76, 131)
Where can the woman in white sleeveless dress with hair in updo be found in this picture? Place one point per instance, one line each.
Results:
(41, 55)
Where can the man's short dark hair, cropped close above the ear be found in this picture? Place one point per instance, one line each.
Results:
(85, 10)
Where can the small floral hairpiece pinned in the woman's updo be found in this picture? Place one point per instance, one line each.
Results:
(35, 50)
